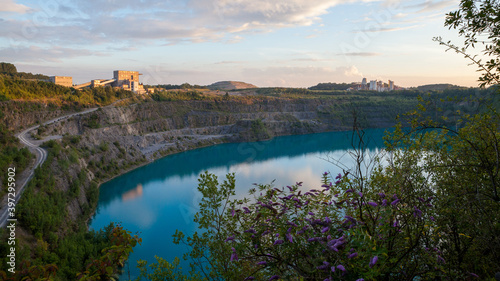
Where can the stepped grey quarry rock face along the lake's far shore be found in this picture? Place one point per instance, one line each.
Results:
(152, 127)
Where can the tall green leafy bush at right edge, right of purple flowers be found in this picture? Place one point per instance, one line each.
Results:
(462, 165)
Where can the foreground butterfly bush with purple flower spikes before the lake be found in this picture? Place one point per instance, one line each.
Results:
(341, 231)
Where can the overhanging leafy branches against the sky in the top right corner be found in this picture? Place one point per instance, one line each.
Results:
(477, 22)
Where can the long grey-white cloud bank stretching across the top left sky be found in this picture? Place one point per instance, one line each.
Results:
(164, 23)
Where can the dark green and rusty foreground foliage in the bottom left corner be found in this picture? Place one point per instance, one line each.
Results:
(88, 255)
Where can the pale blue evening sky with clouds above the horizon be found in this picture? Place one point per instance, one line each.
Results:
(268, 43)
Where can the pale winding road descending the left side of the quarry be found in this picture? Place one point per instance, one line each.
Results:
(41, 156)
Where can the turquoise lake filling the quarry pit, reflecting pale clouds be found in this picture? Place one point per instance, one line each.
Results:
(159, 198)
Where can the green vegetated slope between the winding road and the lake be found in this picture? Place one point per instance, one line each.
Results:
(54, 245)
